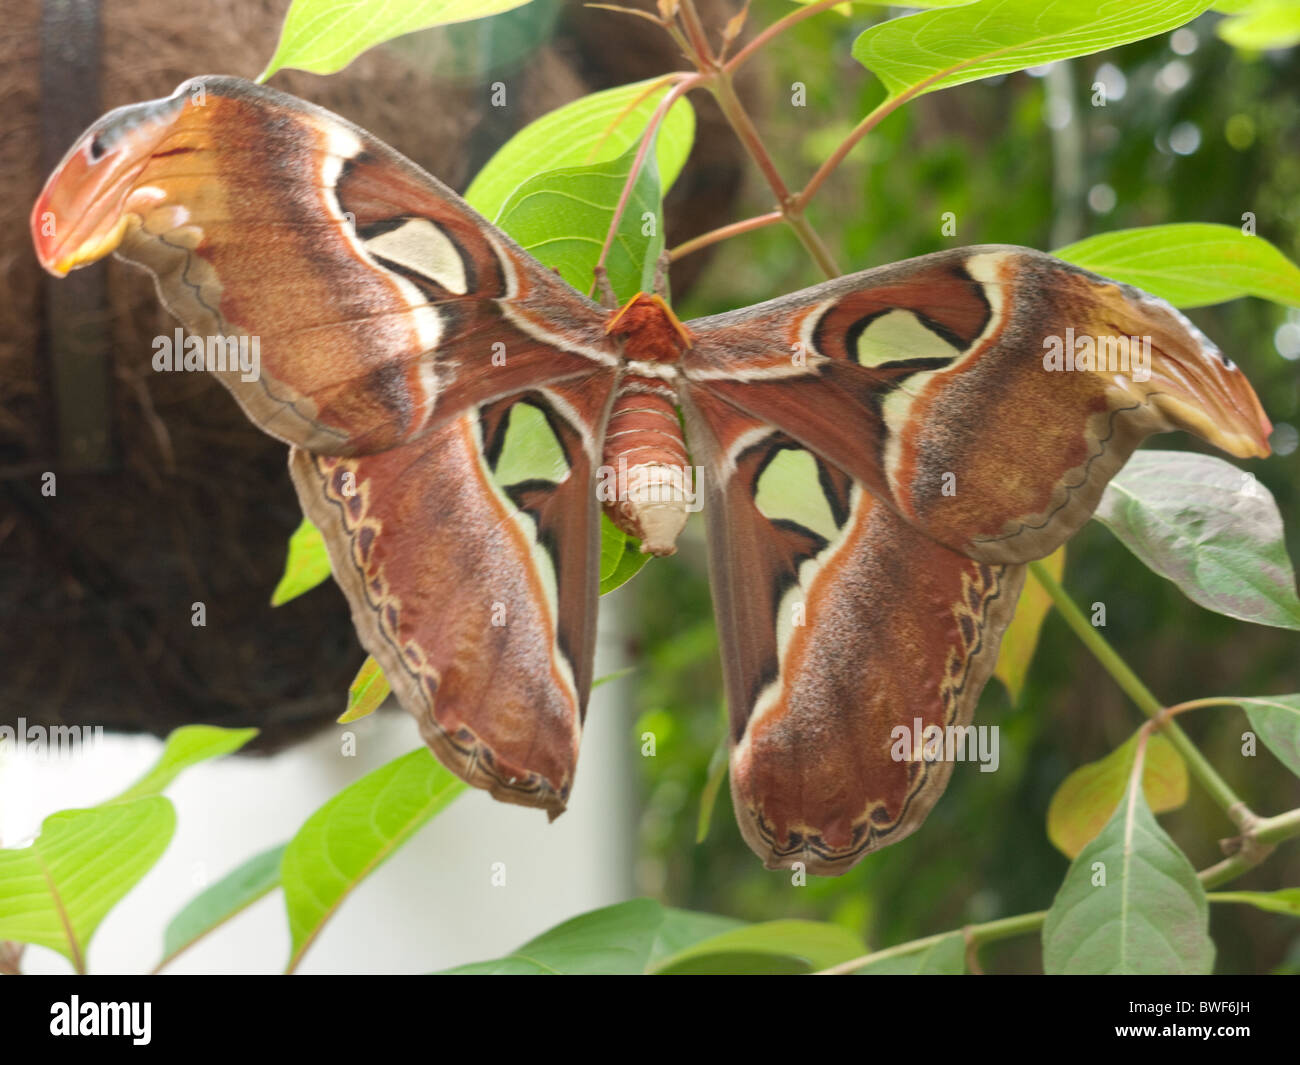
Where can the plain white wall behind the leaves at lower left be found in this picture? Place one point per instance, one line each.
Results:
(431, 907)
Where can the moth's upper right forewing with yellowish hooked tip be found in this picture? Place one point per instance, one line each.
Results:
(986, 395)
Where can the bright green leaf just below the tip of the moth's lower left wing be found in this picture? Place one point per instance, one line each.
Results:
(356, 833)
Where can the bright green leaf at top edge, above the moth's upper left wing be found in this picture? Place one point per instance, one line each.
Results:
(327, 36)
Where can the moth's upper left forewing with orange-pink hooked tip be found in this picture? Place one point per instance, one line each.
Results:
(379, 304)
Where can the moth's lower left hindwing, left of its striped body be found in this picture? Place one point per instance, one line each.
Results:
(470, 559)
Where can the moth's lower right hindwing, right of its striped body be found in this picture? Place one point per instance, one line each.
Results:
(851, 640)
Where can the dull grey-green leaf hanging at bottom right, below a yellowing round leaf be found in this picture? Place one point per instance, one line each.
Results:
(1130, 904)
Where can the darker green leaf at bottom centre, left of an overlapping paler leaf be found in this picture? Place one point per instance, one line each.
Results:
(625, 940)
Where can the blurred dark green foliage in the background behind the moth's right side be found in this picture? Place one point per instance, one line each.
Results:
(1191, 131)
